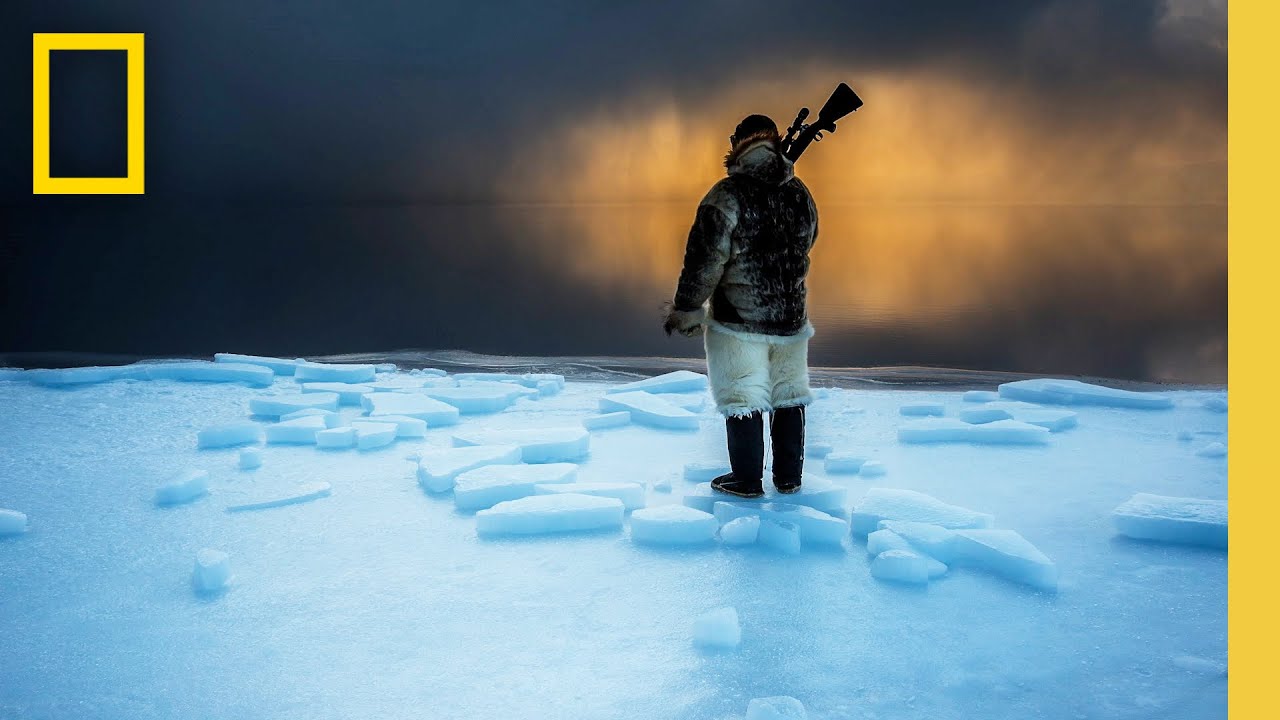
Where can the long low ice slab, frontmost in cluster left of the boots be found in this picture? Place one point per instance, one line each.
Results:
(547, 514)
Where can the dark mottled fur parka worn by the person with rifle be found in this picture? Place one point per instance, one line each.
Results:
(748, 252)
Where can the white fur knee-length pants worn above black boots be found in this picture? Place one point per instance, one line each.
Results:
(752, 372)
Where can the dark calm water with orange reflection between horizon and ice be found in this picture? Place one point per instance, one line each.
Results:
(1121, 293)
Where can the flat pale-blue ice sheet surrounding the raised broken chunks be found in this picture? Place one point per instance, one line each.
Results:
(382, 582)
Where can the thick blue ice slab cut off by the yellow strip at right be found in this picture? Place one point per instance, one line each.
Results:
(1187, 521)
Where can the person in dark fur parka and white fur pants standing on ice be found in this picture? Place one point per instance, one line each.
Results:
(743, 285)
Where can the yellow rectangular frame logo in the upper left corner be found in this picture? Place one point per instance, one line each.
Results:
(132, 43)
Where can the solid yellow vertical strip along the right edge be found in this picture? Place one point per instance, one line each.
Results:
(1254, 160)
